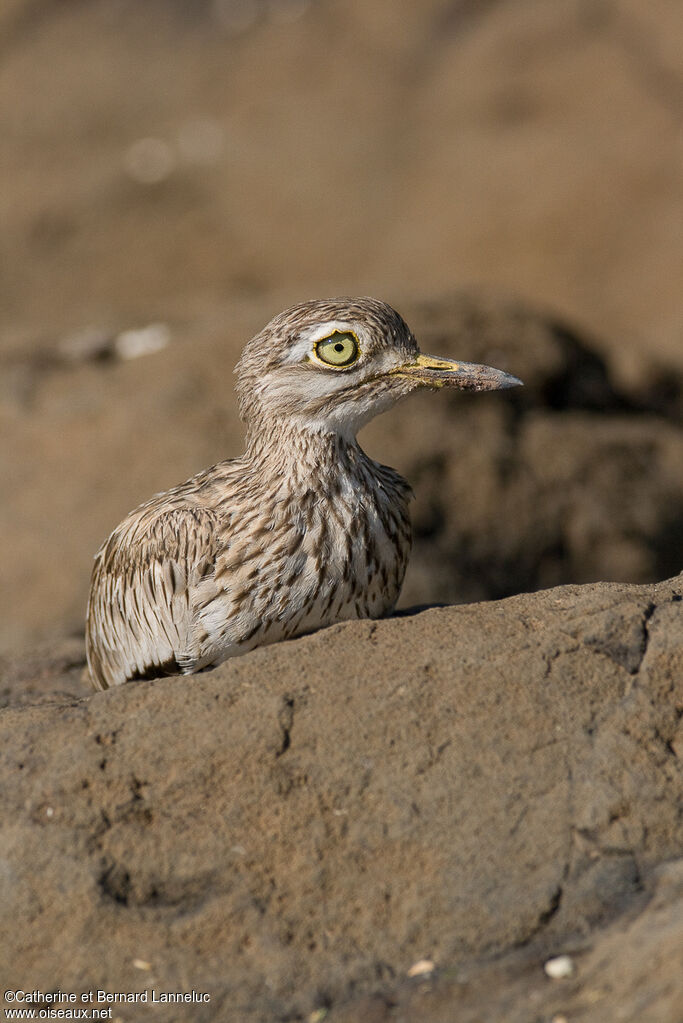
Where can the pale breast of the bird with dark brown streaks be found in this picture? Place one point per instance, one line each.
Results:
(318, 556)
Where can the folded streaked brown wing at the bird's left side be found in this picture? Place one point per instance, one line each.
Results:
(141, 613)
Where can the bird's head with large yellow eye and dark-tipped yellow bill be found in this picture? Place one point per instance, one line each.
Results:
(332, 366)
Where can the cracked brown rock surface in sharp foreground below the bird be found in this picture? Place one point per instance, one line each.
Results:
(484, 787)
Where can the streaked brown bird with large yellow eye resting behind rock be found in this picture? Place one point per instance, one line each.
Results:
(302, 531)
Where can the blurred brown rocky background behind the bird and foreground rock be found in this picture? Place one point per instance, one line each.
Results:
(508, 173)
